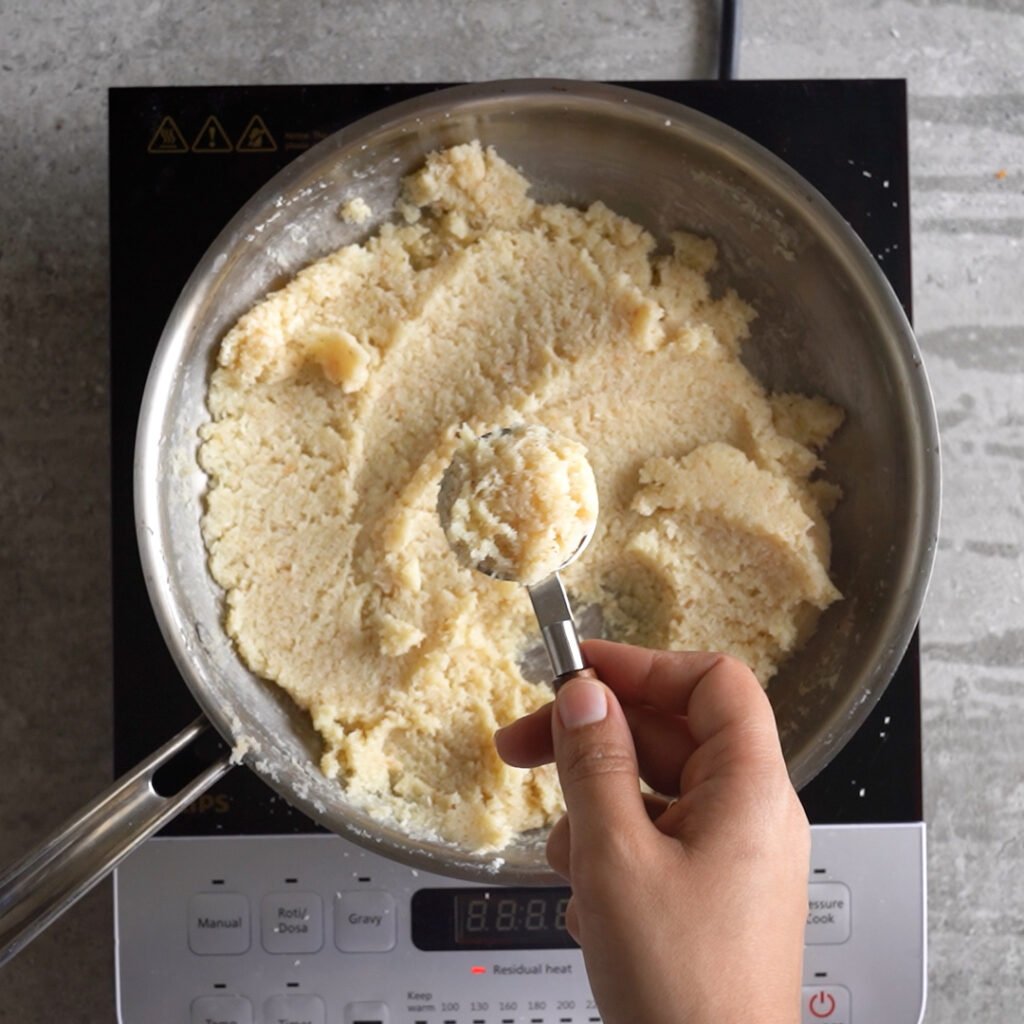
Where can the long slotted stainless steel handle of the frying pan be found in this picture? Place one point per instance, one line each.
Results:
(64, 868)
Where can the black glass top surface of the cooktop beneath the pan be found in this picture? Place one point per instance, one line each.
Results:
(184, 160)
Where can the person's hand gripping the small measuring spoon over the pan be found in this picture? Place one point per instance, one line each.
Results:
(691, 912)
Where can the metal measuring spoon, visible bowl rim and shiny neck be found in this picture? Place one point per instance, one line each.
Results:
(550, 603)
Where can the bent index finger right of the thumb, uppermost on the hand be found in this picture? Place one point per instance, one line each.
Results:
(713, 692)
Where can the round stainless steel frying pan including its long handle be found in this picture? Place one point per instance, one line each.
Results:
(829, 324)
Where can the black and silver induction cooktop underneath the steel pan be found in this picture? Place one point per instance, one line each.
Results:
(242, 909)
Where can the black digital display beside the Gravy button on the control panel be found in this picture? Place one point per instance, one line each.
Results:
(491, 919)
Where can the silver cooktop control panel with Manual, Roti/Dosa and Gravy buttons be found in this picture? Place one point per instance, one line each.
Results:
(314, 930)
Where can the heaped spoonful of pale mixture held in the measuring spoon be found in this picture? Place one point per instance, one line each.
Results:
(519, 503)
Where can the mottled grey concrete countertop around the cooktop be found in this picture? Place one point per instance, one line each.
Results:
(963, 62)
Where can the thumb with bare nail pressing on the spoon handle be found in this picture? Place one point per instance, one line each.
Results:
(598, 763)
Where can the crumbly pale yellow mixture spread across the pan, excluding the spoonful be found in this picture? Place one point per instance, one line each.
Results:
(334, 412)
